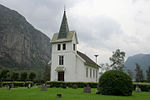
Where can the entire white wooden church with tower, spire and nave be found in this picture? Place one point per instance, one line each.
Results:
(67, 63)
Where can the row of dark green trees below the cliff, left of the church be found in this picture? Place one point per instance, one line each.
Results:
(9, 75)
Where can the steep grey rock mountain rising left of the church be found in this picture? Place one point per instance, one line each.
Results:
(21, 45)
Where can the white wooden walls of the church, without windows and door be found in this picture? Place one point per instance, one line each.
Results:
(75, 67)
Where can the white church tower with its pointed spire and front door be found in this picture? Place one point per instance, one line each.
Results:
(64, 50)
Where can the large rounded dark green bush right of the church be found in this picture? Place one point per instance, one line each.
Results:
(115, 82)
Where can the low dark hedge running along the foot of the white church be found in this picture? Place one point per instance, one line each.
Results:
(71, 84)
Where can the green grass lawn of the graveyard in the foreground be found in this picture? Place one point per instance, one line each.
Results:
(68, 94)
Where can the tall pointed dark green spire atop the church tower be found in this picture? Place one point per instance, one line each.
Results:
(64, 29)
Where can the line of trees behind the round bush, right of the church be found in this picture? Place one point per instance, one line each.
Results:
(117, 63)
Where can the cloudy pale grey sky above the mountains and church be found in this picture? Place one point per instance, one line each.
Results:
(102, 26)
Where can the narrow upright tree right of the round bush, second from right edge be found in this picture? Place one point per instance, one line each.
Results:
(139, 77)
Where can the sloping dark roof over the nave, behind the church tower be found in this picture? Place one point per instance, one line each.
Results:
(88, 61)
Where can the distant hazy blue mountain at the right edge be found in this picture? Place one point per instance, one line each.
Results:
(142, 59)
